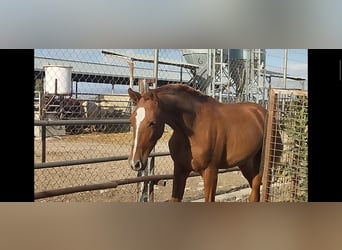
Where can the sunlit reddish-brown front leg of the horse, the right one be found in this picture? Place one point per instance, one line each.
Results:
(209, 176)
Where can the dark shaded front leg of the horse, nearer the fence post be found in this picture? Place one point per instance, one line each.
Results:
(179, 181)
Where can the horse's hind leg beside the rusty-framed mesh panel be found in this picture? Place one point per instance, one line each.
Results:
(250, 171)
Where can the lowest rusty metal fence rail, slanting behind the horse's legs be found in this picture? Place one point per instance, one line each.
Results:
(113, 184)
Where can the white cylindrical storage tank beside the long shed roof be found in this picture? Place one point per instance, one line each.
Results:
(57, 80)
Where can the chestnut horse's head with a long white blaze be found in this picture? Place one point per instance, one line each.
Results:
(148, 127)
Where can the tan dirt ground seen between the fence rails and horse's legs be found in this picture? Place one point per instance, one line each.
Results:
(97, 145)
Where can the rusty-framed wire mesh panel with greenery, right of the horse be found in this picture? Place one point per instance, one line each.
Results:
(286, 147)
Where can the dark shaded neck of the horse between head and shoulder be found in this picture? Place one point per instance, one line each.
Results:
(179, 112)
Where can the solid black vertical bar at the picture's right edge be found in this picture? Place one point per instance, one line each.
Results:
(324, 91)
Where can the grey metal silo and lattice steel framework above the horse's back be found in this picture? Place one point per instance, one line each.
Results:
(227, 74)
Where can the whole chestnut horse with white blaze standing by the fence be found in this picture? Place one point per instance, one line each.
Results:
(207, 136)
